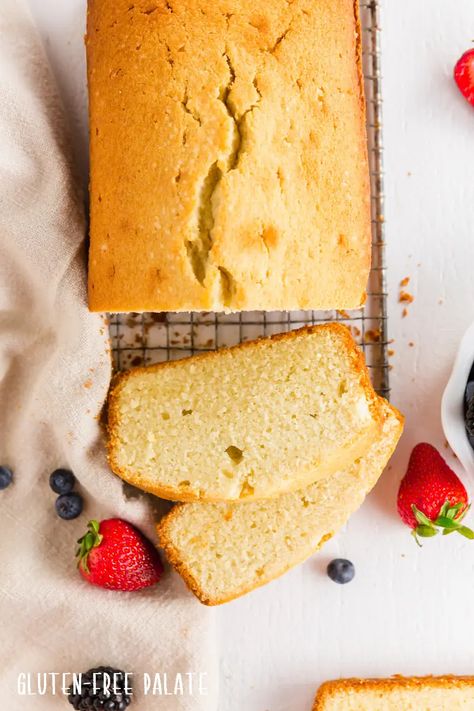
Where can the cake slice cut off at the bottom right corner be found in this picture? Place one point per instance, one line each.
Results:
(428, 693)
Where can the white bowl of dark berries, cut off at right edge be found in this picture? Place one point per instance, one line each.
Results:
(452, 403)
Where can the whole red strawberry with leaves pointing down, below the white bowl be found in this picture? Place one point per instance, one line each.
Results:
(431, 497)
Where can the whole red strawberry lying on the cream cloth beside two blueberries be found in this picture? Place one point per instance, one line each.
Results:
(115, 555)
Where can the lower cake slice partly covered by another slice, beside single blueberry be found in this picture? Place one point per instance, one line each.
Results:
(225, 550)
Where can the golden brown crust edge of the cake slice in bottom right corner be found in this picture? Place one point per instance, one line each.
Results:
(326, 690)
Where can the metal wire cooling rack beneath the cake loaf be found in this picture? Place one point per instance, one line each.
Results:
(142, 339)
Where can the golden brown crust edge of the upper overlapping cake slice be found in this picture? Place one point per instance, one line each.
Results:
(172, 494)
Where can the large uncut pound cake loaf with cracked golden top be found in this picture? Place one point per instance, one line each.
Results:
(228, 155)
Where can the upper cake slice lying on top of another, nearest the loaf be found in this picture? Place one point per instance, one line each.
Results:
(252, 421)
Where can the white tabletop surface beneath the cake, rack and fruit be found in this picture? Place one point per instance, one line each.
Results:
(408, 610)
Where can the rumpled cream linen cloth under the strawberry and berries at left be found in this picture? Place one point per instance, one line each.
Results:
(54, 375)
